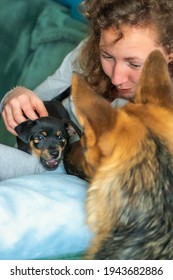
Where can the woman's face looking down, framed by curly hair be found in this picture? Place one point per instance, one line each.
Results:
(122, 60)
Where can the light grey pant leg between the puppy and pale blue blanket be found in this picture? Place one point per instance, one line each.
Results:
(14, 163)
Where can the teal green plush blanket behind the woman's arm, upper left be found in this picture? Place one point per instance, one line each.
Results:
(35, 37)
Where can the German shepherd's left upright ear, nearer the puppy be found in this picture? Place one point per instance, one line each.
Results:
(95, 114)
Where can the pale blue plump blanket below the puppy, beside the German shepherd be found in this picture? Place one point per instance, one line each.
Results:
(43, 217)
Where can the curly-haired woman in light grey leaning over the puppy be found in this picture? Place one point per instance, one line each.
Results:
(122, 34)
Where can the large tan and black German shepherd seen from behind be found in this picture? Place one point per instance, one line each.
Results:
(129, 156)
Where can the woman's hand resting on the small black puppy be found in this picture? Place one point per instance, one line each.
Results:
(22, 103)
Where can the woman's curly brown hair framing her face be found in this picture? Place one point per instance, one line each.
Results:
(103, 14)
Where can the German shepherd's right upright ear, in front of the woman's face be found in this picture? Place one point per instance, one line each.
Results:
(155, 85)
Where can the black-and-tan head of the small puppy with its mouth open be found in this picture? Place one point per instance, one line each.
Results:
(45, 138)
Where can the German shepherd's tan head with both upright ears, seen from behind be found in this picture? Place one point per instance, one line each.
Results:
(109, 132)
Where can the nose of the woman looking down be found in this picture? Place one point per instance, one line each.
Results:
(119, 75)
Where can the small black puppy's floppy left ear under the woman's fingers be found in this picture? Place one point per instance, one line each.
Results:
(24, 130)
